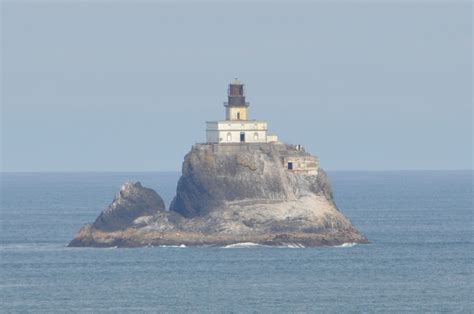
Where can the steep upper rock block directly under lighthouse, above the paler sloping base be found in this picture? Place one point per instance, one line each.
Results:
(216, 174)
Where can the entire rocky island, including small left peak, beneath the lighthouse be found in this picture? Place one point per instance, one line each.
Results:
(229, 194)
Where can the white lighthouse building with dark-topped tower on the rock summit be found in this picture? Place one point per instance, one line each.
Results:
(236, 128)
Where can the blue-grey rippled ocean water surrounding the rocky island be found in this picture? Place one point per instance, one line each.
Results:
(420, 258)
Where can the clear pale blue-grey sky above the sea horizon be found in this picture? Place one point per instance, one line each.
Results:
(128, 85)
